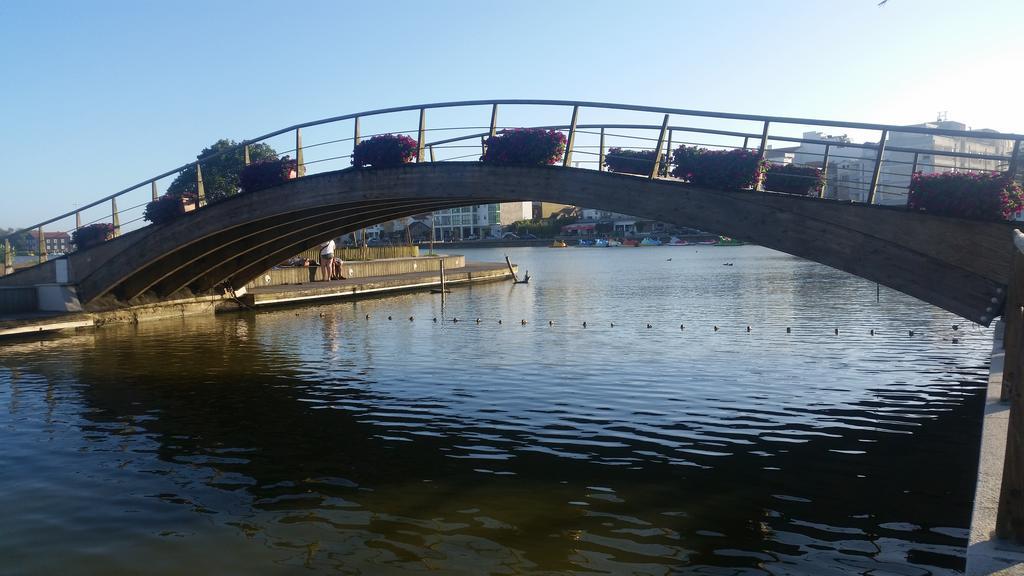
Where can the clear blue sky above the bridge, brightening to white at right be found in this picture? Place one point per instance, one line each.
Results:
(98, 96)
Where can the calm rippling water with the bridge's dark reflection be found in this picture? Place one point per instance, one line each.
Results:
(279, 442)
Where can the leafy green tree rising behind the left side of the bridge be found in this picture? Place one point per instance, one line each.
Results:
(221, 175)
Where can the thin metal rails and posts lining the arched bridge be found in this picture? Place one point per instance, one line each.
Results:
(762, 139)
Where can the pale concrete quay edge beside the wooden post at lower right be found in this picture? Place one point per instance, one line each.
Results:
(986, 555)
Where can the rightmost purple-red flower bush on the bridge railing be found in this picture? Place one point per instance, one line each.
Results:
(990, 196)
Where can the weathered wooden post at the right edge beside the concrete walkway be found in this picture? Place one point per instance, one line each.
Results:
(1010, 519)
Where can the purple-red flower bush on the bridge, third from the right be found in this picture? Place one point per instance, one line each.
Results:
(721, 170)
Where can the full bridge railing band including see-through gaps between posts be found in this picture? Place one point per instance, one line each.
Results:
(871, 163)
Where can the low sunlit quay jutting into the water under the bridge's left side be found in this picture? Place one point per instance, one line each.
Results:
(278, 293)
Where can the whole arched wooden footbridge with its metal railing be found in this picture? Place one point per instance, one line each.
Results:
(958, 265)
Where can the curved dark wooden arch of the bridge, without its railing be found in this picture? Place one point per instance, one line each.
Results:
(960, 266)
